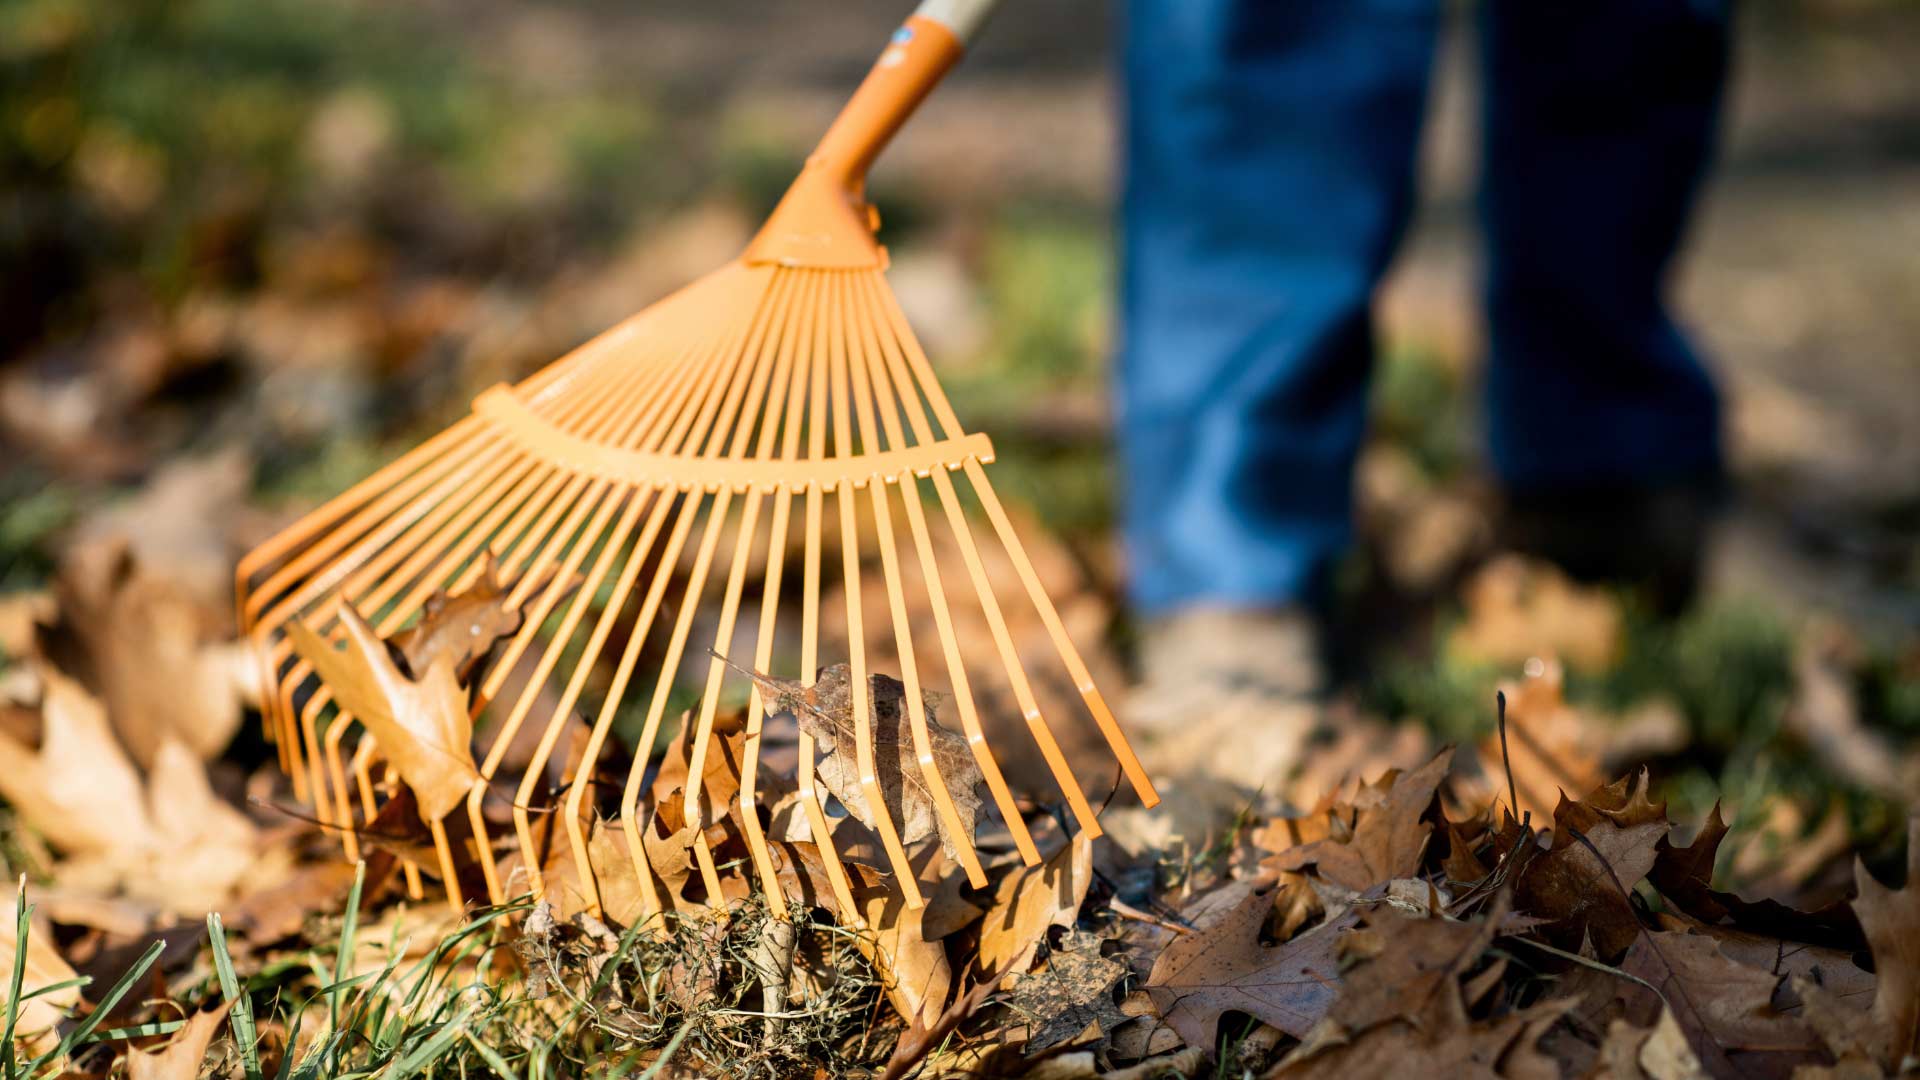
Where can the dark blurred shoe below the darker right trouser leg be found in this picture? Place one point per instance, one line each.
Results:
(1650, 541)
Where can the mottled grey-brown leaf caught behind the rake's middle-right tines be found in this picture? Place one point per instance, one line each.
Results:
(827, 712)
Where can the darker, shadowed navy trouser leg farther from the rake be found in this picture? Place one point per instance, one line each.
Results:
(1600, 120)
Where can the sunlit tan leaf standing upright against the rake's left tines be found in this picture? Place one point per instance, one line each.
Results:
(420, 724)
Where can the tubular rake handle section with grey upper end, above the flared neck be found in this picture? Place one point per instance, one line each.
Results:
(915, 61)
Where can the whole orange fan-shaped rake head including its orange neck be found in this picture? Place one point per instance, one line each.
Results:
(648, 503)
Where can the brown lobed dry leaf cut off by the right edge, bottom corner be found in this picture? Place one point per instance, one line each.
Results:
(1888, 1035)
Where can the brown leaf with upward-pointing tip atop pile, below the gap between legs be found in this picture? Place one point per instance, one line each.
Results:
(1387, 835)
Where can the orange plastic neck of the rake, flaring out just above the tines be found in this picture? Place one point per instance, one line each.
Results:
(825, 220)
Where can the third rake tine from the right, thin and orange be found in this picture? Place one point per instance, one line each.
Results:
(894, 387)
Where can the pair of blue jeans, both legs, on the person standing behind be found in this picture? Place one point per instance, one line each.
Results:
(1270, 176)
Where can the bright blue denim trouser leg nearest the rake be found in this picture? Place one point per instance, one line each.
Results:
(1270, 160)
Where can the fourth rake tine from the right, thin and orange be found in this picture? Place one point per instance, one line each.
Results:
(861, 349)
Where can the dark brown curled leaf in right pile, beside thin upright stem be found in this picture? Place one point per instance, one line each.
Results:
(1602, 847)
